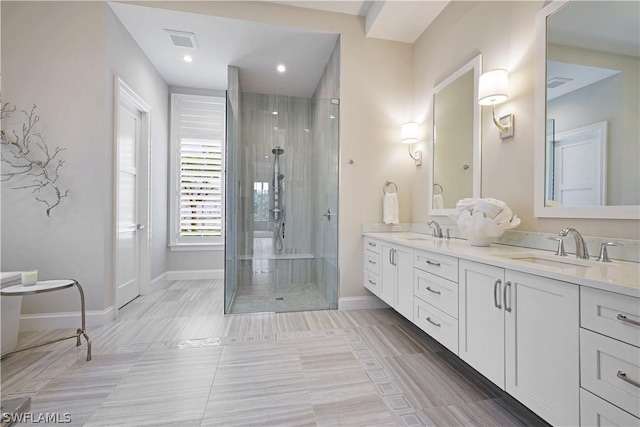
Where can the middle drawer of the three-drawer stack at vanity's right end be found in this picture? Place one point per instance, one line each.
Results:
(603, 362)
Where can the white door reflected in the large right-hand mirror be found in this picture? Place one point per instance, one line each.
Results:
(580, 166)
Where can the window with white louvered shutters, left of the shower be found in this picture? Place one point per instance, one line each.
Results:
(197, 178)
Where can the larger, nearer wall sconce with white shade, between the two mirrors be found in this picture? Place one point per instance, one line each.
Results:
(493, 89)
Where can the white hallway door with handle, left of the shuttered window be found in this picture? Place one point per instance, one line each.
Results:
(128, 240)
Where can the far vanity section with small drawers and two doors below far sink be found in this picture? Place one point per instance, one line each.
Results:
(388, 273)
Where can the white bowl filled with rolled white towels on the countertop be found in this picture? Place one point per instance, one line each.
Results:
(483, 220)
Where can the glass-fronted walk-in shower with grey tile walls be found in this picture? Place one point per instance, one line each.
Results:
(281, 244)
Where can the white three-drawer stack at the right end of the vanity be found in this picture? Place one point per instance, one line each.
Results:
(610, 358)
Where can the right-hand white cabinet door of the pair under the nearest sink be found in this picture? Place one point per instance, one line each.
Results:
(542, 346)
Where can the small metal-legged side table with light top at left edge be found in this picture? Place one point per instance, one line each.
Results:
(50, 286)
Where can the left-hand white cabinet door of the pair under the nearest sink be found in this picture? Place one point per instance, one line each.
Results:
(481, 319)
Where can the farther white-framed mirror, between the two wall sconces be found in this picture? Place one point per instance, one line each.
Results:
(454, 148)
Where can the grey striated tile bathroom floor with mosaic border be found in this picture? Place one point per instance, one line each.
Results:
(171, 358)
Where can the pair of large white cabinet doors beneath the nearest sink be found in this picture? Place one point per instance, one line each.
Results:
(522, 332)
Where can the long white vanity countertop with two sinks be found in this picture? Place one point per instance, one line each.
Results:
(618, 276)
